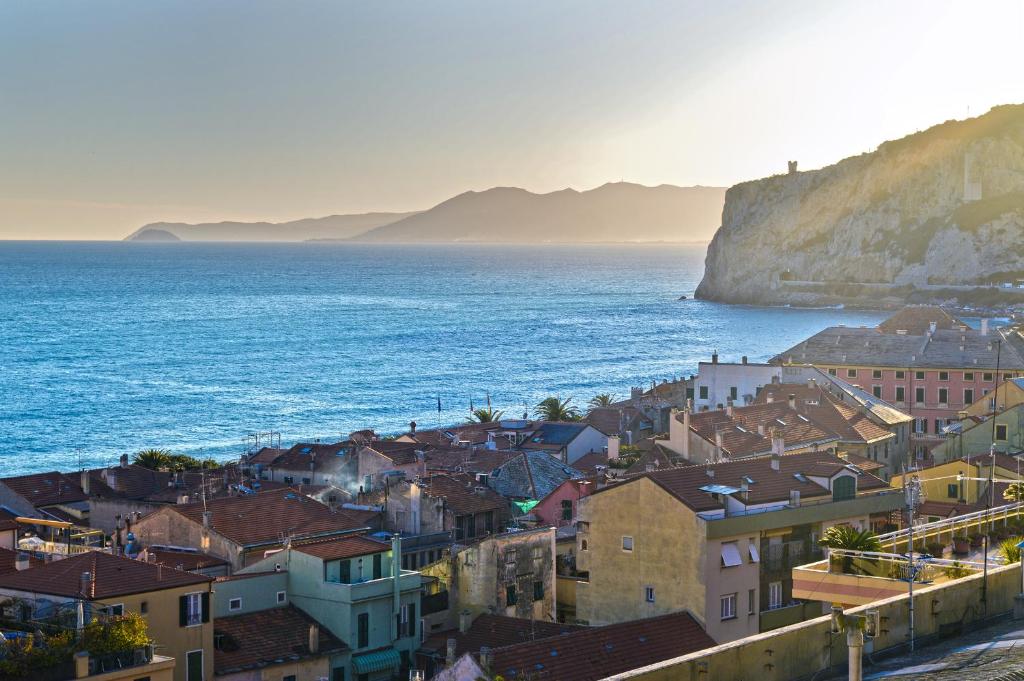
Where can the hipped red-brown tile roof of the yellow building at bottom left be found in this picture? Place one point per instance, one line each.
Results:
(112, 577)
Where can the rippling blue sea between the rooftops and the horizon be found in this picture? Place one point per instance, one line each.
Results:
(110, 348)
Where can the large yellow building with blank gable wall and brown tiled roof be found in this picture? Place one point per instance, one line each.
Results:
(719, 541)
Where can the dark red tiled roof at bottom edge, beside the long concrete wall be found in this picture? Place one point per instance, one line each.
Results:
(599, 653)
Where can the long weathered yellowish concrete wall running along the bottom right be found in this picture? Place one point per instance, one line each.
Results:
(799, 652)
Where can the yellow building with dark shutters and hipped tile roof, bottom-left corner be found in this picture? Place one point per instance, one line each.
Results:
(176, 605)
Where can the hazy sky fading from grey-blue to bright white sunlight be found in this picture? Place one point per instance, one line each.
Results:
(115, 114)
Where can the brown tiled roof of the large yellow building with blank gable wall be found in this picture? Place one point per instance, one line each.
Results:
(686, 483)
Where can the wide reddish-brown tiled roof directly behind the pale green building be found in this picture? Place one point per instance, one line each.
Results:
(269, 517)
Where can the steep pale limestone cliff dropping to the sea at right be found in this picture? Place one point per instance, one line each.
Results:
(944, 207)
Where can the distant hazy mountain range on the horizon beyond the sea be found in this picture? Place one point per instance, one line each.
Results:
(614, 212)
